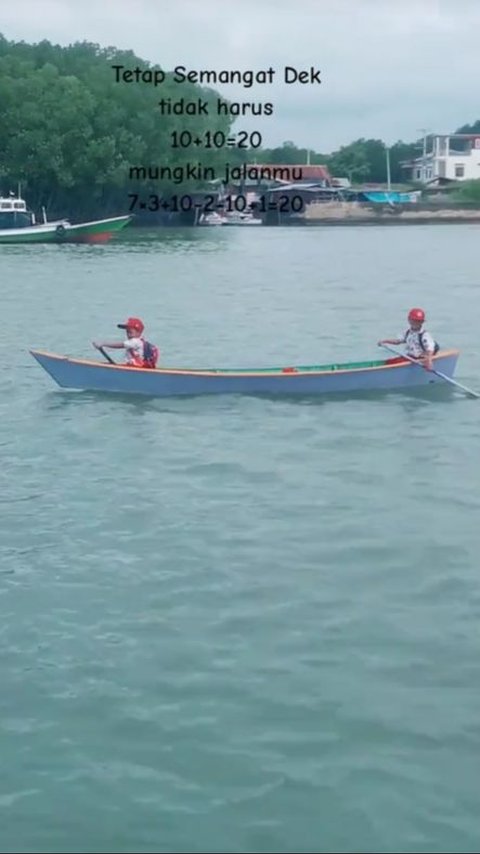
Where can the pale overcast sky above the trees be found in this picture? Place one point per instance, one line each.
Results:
(388, 67)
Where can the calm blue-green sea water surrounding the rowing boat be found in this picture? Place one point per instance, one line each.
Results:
(240, 624)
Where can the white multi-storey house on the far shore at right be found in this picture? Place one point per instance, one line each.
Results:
(454, 156)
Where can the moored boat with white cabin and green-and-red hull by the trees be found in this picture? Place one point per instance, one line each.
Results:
(18, 225)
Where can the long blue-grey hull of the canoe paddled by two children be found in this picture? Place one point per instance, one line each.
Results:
(317, 380)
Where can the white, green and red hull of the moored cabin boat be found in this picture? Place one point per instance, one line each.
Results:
(62, 231)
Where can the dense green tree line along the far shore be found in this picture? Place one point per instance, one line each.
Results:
(69, 134)
